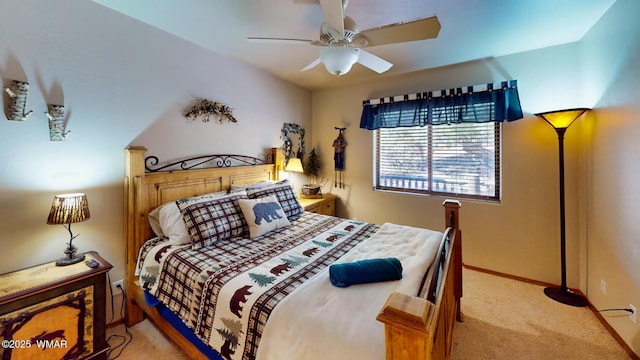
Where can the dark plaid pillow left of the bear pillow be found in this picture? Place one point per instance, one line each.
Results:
(214, 220)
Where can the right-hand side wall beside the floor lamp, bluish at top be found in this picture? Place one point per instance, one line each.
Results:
(612, 53)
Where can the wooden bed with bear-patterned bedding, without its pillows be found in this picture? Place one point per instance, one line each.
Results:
(411, 318)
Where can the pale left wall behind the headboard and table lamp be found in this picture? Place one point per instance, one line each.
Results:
(122, 82)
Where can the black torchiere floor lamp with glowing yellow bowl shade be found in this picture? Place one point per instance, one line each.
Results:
(561, 120)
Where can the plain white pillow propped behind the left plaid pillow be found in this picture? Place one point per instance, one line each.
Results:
(166, 220)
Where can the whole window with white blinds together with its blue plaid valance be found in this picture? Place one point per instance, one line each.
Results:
(444, 142)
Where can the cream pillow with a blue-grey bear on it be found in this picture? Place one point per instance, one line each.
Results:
(263, 215)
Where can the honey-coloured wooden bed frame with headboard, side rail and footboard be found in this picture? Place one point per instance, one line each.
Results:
(415, 327)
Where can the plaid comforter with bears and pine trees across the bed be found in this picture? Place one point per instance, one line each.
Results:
(224, 293)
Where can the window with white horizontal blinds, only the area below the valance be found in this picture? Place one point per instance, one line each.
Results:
(459, 159)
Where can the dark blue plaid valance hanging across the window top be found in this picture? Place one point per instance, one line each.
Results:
(471, 104)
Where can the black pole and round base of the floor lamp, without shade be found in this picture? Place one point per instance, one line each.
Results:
(563, 294)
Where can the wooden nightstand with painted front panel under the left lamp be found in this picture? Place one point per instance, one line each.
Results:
(54, 312)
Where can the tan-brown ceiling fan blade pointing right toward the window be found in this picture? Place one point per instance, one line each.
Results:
(403, 32)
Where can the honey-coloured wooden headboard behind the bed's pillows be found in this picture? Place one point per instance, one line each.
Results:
(145, 190)
